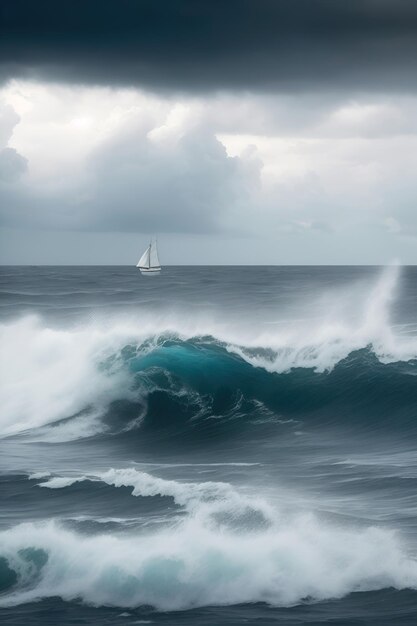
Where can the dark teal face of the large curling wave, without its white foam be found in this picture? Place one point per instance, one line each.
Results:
(201, 390)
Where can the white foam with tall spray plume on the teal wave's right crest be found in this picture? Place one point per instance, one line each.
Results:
(322, 345)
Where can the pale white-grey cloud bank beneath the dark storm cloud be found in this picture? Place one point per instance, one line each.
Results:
(99, 159)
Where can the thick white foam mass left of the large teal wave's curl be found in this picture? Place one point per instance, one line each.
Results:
(49, 374)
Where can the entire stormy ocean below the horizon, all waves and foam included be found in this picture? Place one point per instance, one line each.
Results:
(213, 446)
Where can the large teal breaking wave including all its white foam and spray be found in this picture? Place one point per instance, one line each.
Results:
(64, 384)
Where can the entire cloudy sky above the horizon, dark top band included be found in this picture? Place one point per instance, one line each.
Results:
(237, 132)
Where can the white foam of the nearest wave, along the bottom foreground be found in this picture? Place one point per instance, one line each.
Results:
(192, 565)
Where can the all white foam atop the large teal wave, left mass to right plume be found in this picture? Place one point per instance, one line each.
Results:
(48, 374)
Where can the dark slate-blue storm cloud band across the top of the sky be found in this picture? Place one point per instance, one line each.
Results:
(213, 44)
